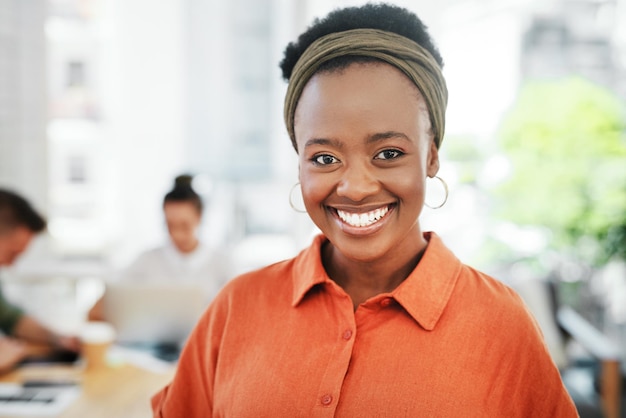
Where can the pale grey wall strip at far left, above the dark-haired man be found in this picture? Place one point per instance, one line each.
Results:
(23, 99)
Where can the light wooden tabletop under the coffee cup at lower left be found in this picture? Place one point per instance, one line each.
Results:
(121, 390)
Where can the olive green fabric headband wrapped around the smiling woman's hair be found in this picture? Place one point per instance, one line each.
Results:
(411, 58)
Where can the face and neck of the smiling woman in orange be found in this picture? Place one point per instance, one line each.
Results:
(375, 160)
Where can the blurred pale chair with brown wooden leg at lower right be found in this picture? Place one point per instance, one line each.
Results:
(593, 376)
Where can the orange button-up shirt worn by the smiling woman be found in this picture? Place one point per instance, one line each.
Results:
(285, 341)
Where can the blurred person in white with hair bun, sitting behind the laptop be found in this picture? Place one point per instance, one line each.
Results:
(184, 258)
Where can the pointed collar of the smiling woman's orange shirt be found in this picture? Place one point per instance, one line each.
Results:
(424, 294)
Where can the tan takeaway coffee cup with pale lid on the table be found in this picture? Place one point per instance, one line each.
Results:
(96, 339)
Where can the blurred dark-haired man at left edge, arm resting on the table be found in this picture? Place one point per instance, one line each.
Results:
(19, 223)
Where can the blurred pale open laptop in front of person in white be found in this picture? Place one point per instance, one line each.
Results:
(158, 315)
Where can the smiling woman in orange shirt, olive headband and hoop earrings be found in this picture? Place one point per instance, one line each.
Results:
(376, 318)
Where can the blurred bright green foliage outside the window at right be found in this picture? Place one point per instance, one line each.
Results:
(566, 143)
